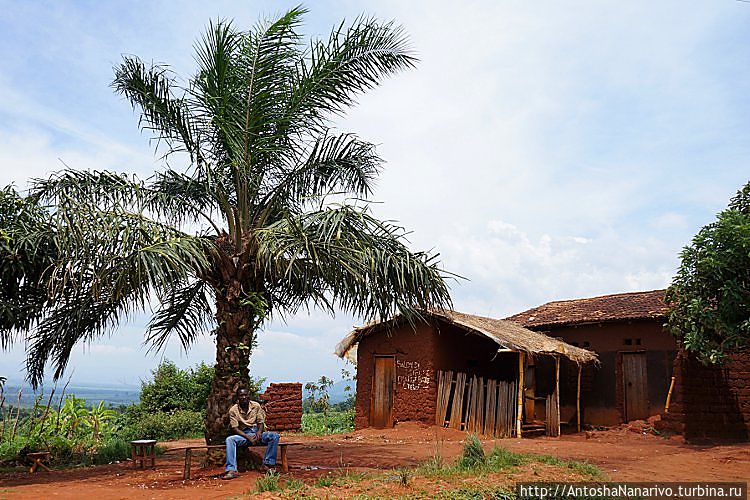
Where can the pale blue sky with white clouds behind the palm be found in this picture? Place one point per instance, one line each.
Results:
(547, 150)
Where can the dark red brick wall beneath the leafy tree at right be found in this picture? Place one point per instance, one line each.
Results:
(710, 401)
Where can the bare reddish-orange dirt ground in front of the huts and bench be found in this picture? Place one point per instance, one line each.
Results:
(622, 454)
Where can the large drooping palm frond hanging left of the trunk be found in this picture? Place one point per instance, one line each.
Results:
(109, 263)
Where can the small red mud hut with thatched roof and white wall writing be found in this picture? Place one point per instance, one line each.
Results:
(456, 370)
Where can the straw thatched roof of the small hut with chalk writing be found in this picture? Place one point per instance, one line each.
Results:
(506, 334)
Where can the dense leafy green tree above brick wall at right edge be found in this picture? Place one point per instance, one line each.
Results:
(710, 296)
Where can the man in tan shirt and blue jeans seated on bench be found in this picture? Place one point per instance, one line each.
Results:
(247, 420)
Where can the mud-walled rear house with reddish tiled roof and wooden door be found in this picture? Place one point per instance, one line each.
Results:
(636, 353)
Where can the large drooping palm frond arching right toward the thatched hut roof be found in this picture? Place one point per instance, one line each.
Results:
(344, 256)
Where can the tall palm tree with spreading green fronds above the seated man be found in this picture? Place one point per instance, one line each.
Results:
(266, 217)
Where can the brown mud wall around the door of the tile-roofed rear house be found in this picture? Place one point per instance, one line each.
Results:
(602, 394)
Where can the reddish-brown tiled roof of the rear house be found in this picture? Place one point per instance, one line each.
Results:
(617, 307)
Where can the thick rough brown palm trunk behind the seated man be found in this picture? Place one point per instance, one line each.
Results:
(234, 343)
